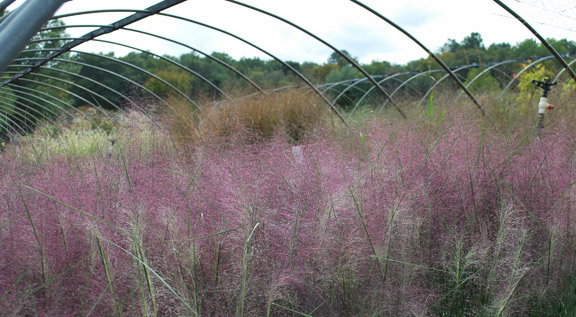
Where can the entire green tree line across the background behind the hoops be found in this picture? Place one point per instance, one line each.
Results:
(103, 79)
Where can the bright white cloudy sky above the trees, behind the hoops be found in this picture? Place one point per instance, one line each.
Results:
(340, 22)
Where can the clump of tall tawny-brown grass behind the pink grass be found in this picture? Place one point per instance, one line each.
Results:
(293, 113)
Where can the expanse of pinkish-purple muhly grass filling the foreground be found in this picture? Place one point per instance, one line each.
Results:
(416, 218)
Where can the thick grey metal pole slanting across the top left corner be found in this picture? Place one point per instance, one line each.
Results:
(16, 32)
